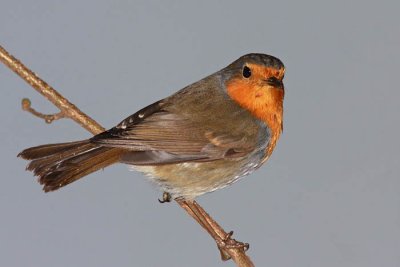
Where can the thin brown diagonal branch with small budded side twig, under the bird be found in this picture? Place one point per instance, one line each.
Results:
(229, 247)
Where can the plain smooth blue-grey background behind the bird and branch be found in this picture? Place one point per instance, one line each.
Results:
(330, 194)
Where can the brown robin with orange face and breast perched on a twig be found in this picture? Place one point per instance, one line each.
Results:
(202, 138)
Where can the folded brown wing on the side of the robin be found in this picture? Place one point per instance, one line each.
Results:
(157, 136)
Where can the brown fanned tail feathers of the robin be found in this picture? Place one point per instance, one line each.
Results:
(57, 165)
